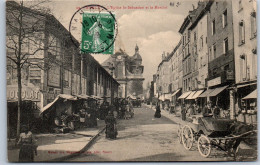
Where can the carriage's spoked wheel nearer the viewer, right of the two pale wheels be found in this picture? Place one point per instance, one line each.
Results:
(204, 146)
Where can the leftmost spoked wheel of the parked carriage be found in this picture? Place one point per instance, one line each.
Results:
(187, 137)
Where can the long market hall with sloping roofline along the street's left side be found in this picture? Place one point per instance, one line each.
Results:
(50, 61)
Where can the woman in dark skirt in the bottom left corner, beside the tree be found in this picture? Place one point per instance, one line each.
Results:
(27, 144)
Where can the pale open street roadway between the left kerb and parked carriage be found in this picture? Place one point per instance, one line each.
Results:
(145, 138)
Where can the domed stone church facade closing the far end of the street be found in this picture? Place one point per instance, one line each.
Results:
(128, 71)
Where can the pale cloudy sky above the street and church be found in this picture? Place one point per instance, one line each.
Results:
(154, 30)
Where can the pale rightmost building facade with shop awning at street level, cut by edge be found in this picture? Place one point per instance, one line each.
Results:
(245, 56)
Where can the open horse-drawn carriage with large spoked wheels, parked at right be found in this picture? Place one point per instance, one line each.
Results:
(208, 132)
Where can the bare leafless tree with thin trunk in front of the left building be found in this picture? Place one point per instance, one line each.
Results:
(26, 39)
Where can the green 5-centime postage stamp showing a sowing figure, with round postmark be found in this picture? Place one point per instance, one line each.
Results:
(98, 31)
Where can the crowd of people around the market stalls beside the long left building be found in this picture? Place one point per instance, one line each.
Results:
(89, 111)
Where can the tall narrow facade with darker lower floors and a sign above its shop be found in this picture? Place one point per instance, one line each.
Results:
(220, 43)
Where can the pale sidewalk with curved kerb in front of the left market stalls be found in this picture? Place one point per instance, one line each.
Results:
(58, 147)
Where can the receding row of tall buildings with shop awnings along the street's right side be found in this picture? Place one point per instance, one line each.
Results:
(215, 59)
